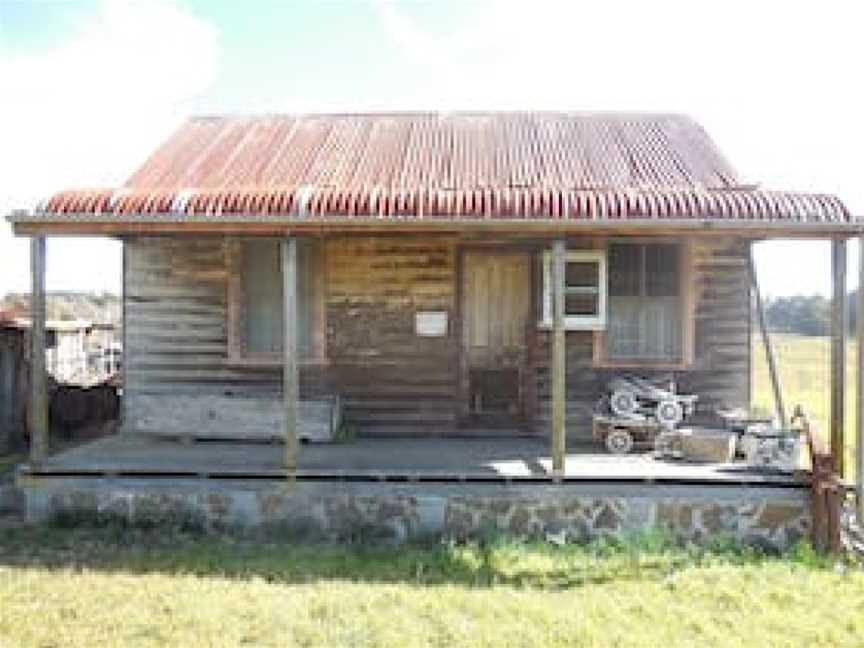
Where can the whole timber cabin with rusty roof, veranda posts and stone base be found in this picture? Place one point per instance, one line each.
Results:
(452, 291)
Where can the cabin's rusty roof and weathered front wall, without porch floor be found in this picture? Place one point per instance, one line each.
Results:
(430, 274)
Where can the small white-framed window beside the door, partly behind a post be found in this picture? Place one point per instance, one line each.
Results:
(584, 290)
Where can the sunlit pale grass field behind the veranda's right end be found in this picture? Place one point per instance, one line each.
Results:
(804, 368)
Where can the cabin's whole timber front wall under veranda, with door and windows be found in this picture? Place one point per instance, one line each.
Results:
(424, 334)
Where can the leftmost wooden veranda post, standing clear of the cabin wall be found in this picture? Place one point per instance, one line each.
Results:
(38, 412)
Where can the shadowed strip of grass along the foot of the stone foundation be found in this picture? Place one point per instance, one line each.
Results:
(483, 563)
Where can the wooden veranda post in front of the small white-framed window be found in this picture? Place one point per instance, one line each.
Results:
(559, 385)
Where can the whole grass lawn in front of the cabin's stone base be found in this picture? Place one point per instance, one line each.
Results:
(85, 587)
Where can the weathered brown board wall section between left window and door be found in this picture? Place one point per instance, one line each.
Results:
(374, 288)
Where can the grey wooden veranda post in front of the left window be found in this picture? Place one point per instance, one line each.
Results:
(290, 375)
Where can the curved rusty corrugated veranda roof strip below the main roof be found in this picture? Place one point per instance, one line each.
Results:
(387, 204)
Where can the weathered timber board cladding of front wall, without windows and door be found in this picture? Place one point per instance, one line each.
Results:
(391, 382)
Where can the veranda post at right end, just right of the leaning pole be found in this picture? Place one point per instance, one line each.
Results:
(838, 352)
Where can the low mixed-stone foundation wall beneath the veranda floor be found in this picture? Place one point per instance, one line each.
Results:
(770, 517)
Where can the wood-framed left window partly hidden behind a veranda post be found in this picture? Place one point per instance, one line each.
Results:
(256, 300)
